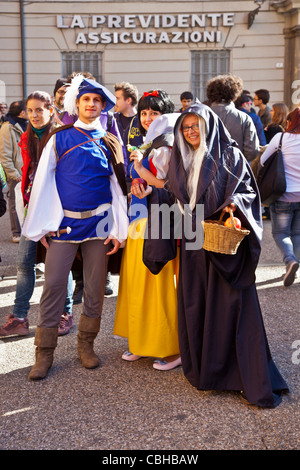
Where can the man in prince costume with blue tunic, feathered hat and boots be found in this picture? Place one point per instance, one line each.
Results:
(78, 197)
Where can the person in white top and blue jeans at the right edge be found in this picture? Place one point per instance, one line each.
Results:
(285, 212)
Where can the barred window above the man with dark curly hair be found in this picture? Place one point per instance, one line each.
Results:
(206, 65)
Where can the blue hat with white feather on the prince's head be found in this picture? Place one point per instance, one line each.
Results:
(80, 86)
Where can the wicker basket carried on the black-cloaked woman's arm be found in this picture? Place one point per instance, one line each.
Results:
(221, 239)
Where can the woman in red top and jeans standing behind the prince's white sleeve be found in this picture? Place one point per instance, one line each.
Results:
(40, 112)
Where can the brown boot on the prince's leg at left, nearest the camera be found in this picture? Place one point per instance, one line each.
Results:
(46, 341)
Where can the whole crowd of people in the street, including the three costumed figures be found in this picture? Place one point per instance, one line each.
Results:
(82, 182)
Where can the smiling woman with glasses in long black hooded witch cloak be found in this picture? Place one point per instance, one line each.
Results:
(222, 339)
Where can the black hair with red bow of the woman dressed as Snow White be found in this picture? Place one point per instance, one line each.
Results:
(158, 100)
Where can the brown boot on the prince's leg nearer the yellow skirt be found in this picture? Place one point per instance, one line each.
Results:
(88, 329)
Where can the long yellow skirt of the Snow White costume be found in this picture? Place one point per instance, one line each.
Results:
(146, 311)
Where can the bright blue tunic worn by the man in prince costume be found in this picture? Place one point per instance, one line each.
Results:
(82, 179)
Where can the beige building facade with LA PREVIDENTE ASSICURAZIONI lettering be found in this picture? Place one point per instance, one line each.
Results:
(176, 46)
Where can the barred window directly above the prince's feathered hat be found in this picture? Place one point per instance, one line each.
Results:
(82, 62)
